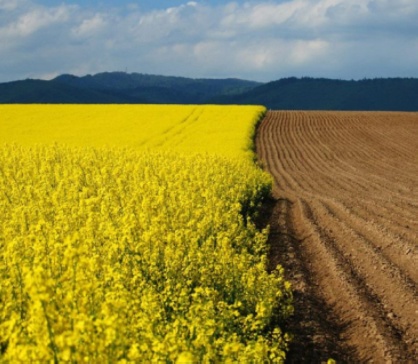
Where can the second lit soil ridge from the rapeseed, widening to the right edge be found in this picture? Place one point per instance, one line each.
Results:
(385, 282)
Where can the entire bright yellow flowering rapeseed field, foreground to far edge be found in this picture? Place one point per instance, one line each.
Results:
(127, 235)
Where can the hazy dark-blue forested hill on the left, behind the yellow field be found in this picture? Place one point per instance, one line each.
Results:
(120, 87)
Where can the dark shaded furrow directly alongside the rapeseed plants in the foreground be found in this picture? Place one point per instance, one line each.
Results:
(313, 328)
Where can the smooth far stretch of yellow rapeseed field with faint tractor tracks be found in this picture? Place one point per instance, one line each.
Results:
(225, 130)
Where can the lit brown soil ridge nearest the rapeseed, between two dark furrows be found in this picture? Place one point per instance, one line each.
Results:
(357, 312)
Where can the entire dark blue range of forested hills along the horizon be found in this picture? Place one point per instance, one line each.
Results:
(385, 94)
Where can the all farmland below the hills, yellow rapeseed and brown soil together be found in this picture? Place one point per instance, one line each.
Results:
(130, 233)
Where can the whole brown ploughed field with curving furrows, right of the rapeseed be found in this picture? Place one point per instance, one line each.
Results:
(344, 224)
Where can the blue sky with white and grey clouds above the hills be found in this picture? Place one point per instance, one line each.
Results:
(256, 40)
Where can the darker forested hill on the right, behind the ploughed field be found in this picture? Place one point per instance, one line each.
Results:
(384, 94)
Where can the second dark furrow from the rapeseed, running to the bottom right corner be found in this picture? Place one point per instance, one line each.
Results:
(376, 316)
